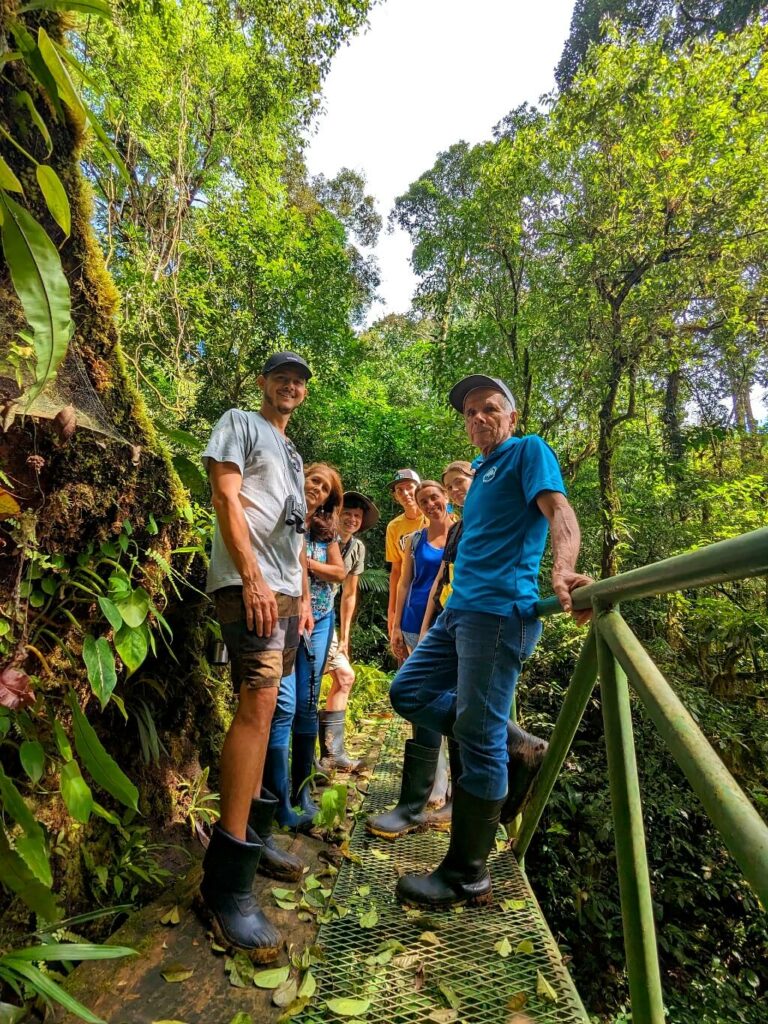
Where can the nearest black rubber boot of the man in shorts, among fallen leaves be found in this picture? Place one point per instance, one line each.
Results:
(227, 903)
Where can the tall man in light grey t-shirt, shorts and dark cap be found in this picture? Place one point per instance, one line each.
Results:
(259, 582)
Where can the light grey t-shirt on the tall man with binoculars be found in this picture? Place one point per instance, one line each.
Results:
(273, 477)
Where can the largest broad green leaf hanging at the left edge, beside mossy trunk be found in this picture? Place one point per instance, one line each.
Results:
(42, 289)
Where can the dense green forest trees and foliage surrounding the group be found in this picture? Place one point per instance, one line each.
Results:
(606, 254)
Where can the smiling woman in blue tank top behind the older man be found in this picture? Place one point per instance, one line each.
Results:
(421, 563)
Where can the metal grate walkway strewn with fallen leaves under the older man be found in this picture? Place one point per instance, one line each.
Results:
(450, 967)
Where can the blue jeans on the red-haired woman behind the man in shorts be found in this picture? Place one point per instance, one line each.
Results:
(297, 698)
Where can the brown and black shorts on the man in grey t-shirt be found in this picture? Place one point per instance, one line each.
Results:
(257, 661)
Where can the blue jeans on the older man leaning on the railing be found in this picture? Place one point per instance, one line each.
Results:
(460, 681)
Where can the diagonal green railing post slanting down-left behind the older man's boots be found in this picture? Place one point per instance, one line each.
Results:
(577, 699)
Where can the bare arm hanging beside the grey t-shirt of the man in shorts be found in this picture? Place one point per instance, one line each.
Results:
(261, 606)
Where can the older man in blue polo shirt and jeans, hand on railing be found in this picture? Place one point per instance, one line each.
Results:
(461, 679)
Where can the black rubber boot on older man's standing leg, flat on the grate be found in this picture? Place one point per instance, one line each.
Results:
(463, 877)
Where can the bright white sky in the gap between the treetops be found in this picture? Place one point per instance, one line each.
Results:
(425, 75)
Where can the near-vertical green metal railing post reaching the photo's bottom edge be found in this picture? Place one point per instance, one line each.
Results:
(634, 883)
